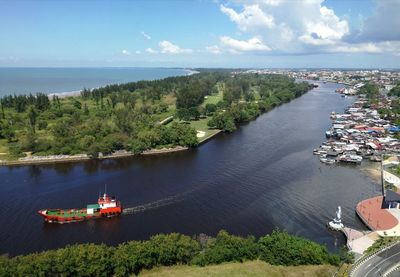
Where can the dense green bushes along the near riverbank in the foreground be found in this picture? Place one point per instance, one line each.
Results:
(278, 248)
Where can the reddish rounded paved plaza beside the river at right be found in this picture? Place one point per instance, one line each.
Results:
(376, 218)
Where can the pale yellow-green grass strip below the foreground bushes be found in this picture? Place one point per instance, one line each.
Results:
(250, 268)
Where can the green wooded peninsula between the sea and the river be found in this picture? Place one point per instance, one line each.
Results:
(127, 116)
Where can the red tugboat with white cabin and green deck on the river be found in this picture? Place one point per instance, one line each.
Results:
(107, 206)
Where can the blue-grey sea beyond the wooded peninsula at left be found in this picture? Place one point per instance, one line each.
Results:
(70, 80)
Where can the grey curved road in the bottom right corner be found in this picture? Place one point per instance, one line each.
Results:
(380, 264)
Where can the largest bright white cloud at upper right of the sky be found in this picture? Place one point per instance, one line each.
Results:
(289, 26)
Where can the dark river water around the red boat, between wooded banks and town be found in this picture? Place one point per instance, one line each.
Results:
(261, 177)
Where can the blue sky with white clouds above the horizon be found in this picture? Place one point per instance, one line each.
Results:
(200, 33)
